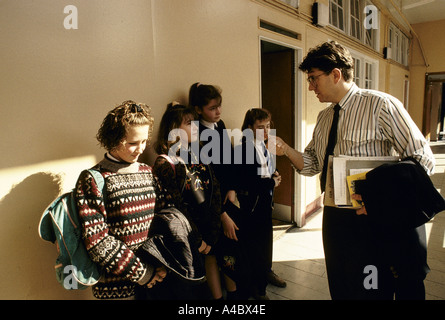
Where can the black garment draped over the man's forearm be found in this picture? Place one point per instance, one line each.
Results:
(400, 194)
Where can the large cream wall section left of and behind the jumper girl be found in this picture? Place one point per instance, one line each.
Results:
(56, 86)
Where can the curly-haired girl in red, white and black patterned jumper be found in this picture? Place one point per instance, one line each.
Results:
(115, 222)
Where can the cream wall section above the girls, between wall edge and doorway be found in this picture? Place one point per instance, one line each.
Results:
(212, 42)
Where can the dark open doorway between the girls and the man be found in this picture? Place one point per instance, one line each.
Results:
(278, 95)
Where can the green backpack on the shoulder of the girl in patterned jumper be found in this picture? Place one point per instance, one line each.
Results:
(60, 224)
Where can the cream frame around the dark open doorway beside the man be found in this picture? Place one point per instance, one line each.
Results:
(299, 207)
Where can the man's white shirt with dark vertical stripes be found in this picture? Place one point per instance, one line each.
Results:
(371, 123)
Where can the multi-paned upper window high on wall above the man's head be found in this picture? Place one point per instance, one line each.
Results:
(353, 17)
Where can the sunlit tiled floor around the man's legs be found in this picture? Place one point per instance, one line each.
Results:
(299, 258)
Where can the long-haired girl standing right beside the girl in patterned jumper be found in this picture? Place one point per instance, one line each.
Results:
(189, 185)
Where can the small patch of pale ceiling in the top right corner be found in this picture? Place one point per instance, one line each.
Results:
(418, 11)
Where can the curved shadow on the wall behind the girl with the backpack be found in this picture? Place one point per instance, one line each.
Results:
(27, 270)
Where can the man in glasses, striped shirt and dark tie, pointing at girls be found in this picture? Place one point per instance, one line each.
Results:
(370, 123)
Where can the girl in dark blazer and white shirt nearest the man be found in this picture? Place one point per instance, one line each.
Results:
(257, 179)
